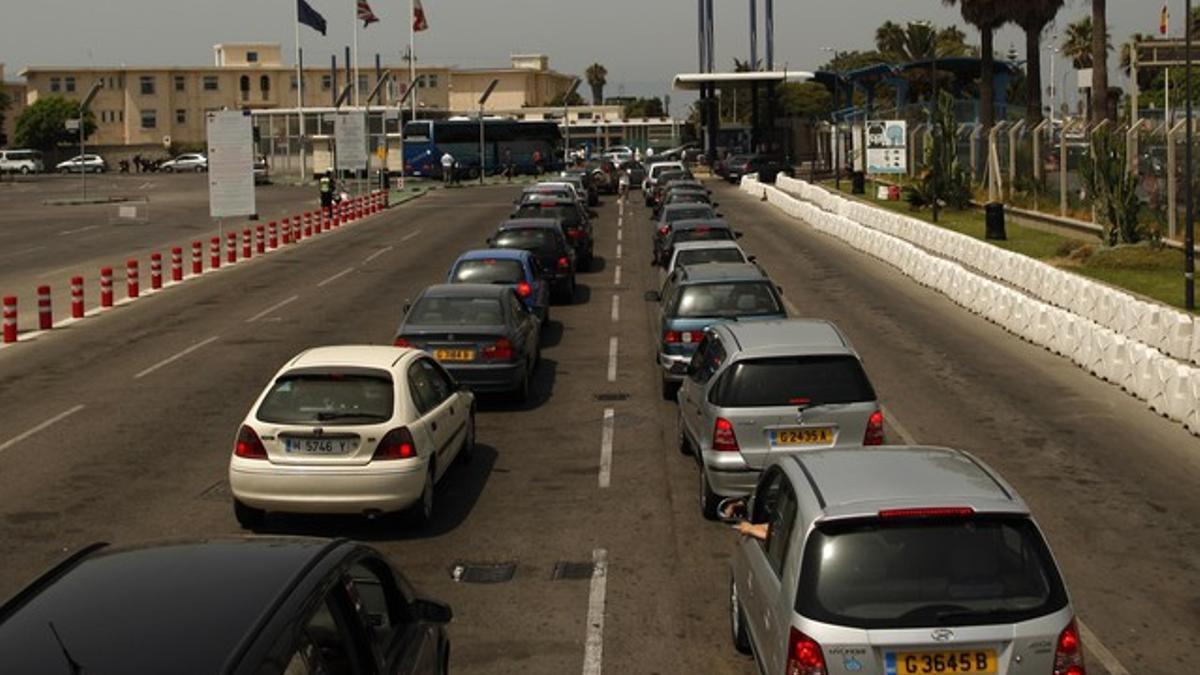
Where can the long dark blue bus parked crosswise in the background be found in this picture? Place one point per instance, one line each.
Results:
(427, 141)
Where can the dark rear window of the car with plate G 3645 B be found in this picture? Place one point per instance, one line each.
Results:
(913, 574)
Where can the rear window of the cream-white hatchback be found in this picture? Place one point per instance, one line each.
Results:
(328, 398)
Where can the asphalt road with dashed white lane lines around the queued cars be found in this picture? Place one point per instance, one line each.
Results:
(121, 428)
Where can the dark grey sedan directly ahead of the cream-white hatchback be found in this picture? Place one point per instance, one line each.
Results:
(482, 333)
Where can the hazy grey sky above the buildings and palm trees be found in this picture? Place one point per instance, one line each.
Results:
(641, 43)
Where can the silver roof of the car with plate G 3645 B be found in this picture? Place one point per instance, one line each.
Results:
(861, 482)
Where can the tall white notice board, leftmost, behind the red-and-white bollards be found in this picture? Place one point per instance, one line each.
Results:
(231, 164)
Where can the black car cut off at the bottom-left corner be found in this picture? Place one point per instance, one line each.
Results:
(230, 606)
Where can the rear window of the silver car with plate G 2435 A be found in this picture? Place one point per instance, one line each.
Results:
(795, 381)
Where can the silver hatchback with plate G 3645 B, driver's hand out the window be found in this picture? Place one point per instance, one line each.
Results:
(898, 561)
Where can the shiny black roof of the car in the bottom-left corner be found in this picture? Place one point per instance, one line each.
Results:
(137, 610)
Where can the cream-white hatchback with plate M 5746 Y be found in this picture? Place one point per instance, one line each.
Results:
(351, 431)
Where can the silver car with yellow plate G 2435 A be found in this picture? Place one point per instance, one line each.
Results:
(763, 390)
